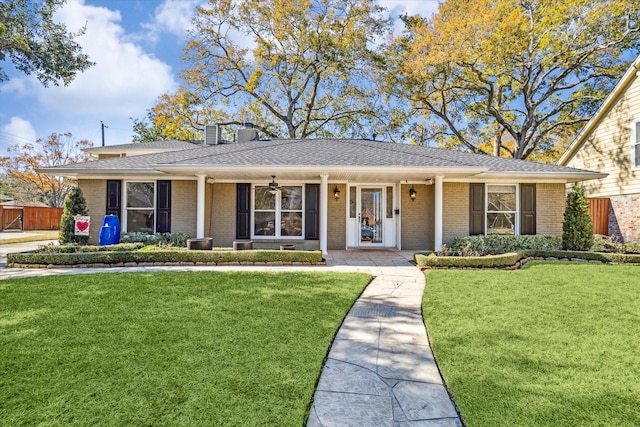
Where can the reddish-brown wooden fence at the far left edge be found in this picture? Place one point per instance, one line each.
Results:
(30, 218)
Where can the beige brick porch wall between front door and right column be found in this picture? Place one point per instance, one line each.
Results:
(417, 218)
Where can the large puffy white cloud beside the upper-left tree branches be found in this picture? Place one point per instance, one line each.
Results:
(125, 80)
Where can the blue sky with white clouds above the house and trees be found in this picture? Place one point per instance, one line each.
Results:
(136, 45)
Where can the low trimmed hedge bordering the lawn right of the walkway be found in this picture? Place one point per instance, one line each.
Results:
(512, 259)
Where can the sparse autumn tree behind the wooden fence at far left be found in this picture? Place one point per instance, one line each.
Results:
(24, 160)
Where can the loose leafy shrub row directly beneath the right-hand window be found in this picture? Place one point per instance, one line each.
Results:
(495, 244)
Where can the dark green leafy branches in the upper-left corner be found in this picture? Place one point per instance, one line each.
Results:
(36, 44)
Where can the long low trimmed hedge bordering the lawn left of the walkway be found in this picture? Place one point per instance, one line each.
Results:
(164, 256)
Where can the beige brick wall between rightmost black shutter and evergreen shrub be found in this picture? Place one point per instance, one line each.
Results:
(550, 204)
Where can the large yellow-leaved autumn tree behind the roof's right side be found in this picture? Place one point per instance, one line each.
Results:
(512, 77)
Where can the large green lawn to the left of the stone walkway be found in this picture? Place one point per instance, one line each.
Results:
(167, 349)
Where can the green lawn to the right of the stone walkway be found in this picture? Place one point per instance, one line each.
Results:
(554, 344)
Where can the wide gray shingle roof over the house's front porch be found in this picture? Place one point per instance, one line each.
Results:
(307, 153)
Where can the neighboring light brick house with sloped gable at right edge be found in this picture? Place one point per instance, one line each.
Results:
(610, 143)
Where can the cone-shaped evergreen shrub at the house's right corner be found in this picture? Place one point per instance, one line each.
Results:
(577, 228)
